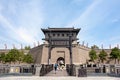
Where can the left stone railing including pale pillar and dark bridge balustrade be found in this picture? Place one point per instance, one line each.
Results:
(25, 69)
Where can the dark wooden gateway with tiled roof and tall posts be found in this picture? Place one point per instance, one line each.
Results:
(60, 38)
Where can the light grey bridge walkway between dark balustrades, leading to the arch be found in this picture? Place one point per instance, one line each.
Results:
(58, 73)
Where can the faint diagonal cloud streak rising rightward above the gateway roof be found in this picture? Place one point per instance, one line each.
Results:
(83, 18)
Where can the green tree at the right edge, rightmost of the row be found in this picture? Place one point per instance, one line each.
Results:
(115, 54)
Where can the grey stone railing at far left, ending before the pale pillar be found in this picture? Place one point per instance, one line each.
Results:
(17, 69)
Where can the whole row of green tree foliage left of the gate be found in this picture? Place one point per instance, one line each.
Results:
(14, 56)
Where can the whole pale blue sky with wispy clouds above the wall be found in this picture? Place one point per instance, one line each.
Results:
(21, 20)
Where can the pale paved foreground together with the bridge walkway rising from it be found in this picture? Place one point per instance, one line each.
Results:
(60, 75)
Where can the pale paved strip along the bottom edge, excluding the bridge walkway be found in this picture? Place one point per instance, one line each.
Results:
(56, 78)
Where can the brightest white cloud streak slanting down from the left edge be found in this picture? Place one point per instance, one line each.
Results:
(19, 34)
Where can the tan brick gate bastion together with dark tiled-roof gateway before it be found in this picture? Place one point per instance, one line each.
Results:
(60, 43)
